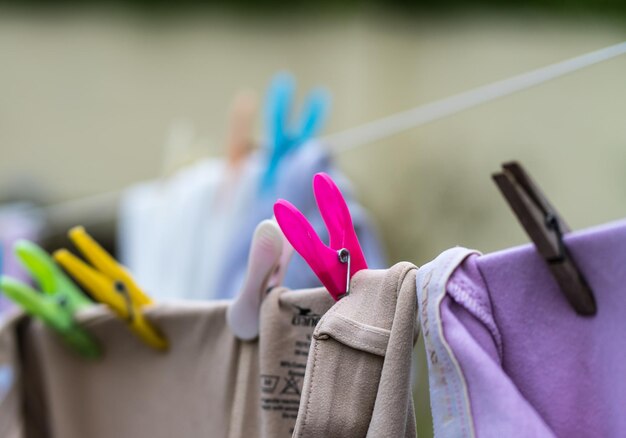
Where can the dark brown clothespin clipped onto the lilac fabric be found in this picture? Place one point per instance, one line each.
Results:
(546, 229)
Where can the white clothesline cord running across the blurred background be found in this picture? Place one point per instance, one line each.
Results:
(104, 205)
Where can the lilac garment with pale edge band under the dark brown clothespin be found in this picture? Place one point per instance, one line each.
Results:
(508, 356)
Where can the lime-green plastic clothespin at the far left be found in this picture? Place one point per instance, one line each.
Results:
(58, 303)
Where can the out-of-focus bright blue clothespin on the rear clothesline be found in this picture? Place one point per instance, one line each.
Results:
(284, 134)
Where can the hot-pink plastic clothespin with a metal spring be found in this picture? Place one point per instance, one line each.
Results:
(336, 263)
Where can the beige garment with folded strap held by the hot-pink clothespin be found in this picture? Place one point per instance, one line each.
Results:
(358, 381)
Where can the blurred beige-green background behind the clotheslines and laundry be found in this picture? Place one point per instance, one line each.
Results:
(89, 93)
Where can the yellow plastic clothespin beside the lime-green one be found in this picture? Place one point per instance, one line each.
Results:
(111, 284)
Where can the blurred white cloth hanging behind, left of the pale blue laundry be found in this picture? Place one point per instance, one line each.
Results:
(161, 225)
